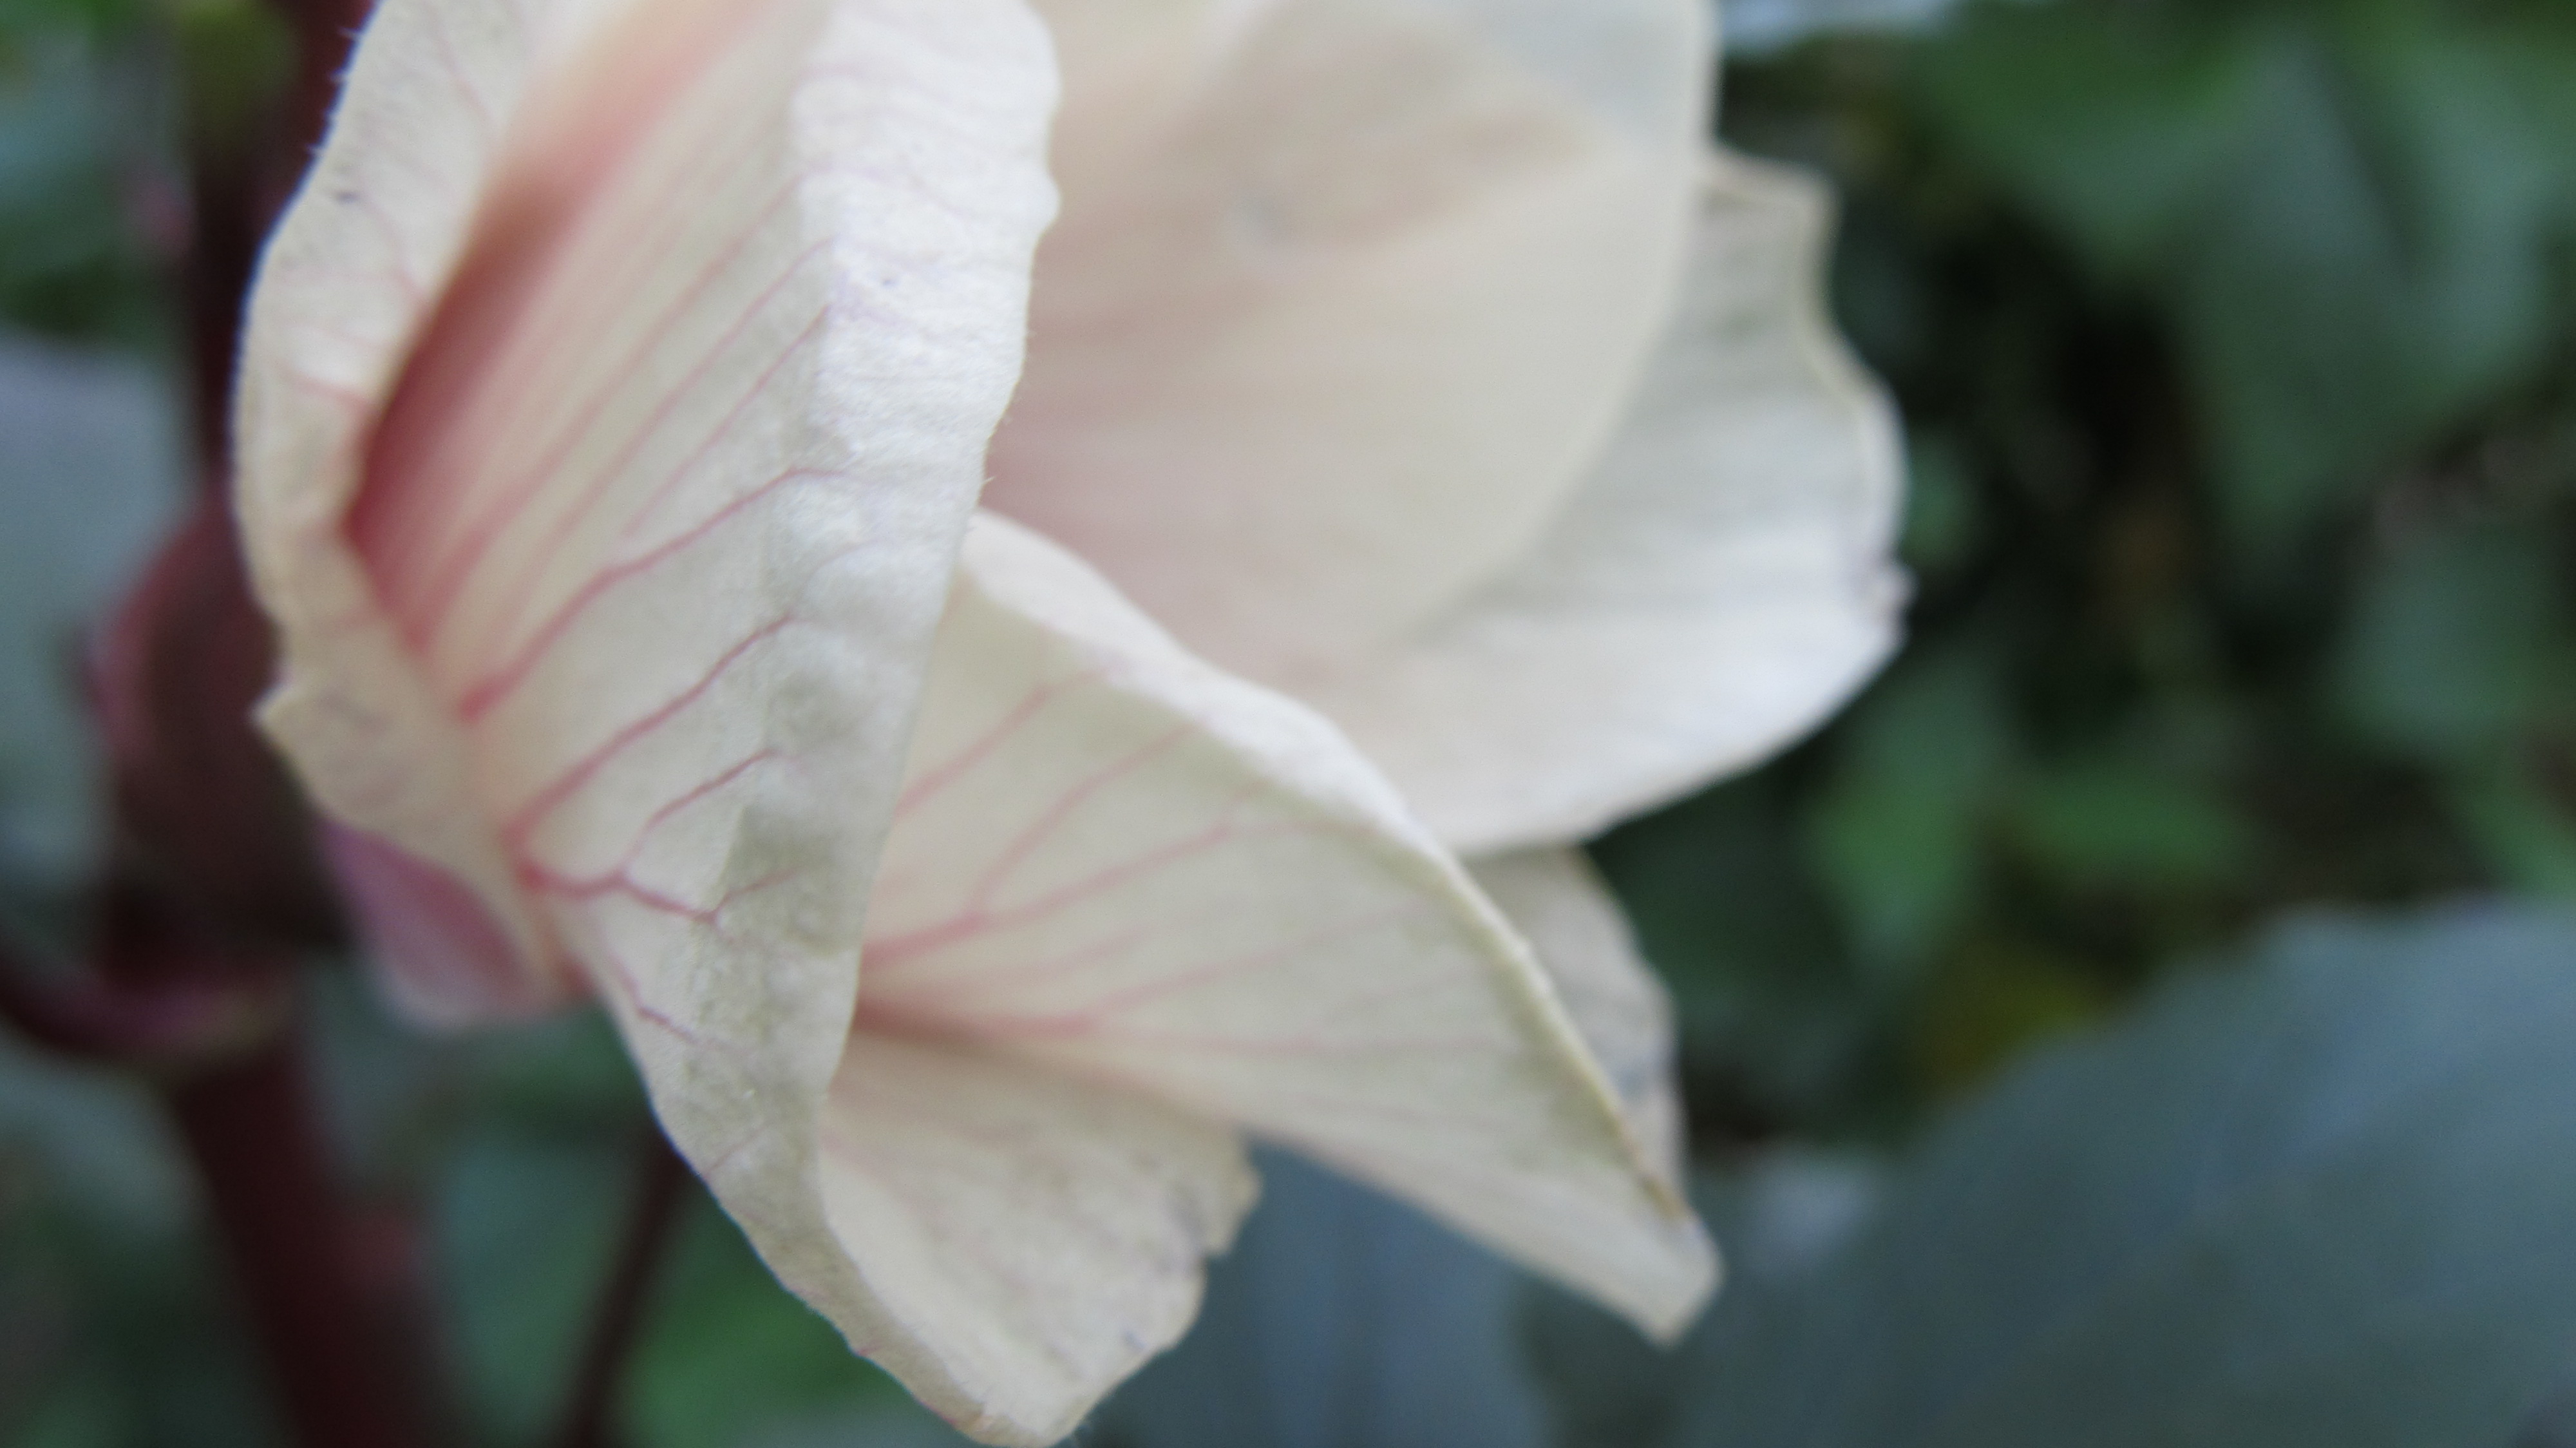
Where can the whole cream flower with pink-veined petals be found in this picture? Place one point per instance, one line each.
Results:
(614, 414)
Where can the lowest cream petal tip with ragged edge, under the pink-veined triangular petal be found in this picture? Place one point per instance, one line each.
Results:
(1029, 1238)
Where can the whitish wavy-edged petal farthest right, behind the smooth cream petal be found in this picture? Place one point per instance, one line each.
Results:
(1714, 591)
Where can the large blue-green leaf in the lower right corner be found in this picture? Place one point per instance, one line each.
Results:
(2317, 1202)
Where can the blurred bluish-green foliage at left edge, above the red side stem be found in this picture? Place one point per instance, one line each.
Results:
(89, 439)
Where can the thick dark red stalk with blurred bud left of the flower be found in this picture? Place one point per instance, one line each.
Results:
(213, 880)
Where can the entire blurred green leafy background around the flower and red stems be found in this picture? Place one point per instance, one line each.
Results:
(2142, 1019)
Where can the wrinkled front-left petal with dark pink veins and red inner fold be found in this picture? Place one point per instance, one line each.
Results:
(614, 401)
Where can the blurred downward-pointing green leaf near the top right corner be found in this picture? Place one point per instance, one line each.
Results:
(2374, 267)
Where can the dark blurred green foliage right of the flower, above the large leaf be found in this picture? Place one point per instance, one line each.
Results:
(2237, 344)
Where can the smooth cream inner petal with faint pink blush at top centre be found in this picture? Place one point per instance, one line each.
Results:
(1343, 300)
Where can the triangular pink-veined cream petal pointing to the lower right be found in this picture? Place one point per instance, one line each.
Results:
(1132, 867)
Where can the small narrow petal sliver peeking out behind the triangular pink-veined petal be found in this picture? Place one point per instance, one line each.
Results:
(1622, 1009)
